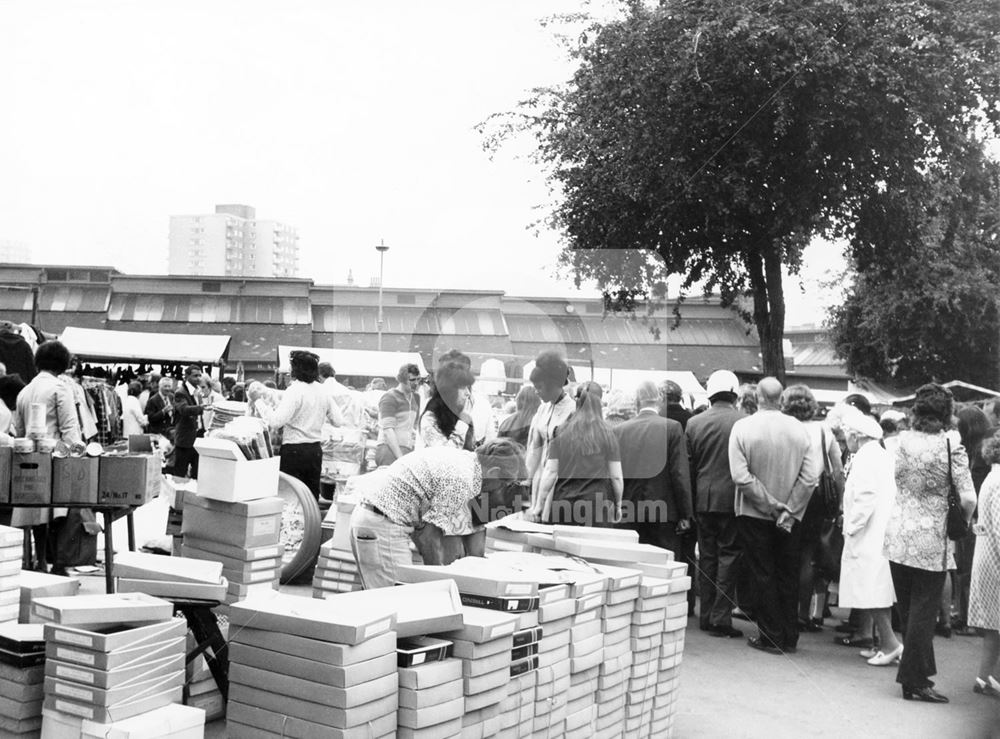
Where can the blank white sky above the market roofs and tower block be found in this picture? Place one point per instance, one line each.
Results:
(352, 121)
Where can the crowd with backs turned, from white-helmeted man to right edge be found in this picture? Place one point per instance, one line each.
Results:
(788, 502)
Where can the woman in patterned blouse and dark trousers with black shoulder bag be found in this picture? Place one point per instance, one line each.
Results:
(916, 543)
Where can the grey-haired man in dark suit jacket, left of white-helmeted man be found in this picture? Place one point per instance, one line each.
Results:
(657, 496)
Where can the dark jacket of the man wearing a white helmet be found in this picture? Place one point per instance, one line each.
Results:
(708, 449)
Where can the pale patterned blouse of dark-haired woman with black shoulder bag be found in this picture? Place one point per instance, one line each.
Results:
(916, 535)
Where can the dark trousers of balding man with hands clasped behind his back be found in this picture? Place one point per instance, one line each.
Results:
(772, 560)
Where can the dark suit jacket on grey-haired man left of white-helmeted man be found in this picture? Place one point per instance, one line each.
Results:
(655, 463)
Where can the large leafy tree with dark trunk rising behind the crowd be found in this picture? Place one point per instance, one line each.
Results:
(723, 137)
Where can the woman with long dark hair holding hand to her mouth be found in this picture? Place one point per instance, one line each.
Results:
(445, 420)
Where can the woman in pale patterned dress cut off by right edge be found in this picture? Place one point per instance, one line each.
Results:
(984, 590)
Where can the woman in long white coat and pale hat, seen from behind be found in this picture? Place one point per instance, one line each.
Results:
(869, 494)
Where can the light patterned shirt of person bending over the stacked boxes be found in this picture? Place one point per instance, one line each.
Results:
(432, 485)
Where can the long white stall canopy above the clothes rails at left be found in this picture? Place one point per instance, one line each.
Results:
(98, 345)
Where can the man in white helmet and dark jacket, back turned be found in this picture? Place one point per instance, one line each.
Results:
(714, 495)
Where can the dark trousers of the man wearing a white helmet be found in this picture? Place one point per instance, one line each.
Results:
(718, 550)
